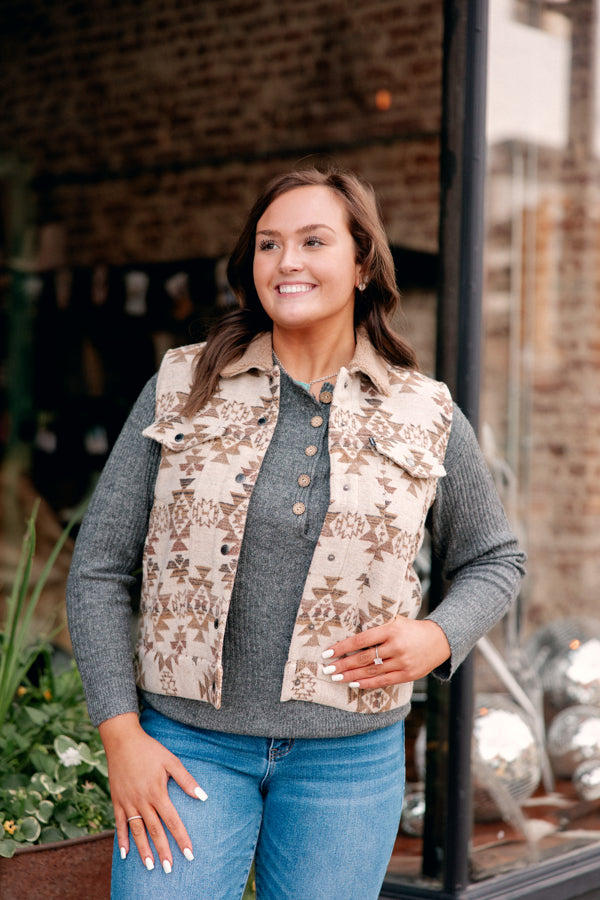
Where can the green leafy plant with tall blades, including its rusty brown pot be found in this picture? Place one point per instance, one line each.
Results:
(54, 792)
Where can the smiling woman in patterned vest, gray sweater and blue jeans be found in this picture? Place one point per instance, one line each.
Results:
(279, 478)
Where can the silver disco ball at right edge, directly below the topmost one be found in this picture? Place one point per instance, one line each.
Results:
(573, 737)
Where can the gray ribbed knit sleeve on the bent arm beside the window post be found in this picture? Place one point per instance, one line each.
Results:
(478, 551)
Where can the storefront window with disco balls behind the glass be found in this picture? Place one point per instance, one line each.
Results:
(535, 760)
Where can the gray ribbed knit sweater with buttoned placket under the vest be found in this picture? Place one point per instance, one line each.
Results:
(469, 533)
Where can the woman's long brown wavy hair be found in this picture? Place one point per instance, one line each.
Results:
(373, 307)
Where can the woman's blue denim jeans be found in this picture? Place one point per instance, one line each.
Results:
(318, 816)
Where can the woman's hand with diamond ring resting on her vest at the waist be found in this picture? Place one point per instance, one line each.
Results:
(408, 648)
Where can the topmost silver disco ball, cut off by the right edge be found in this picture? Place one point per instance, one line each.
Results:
(566, 655)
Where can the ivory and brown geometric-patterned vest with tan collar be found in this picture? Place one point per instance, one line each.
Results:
(388, 431)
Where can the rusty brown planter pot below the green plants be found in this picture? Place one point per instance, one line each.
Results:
(66, 870)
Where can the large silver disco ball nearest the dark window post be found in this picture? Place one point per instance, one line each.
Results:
(506, 757)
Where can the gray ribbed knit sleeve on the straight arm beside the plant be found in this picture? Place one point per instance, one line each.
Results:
(108, 552)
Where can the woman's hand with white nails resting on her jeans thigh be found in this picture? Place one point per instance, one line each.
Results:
(139, 768)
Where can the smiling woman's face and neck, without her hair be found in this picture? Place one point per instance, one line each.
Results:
(306, 275)
